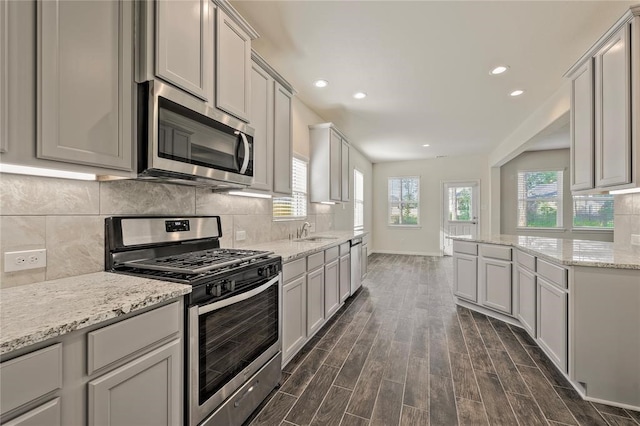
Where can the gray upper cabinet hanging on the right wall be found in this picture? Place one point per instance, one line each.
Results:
(604, 93)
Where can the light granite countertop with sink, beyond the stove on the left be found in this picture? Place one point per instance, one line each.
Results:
(292, 249)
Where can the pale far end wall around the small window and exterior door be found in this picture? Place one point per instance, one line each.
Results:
(425, 240)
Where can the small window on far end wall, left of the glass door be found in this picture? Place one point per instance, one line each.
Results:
(404, 200)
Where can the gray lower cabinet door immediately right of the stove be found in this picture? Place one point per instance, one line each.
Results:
(294, 316)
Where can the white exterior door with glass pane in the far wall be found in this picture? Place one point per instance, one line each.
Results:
(460, 212)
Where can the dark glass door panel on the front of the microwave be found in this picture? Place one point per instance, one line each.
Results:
(189, 137)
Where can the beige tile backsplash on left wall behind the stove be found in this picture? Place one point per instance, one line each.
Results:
(67, 218)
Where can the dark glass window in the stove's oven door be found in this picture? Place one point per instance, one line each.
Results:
(234, 336)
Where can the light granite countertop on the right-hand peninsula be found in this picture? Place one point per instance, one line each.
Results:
(598, 254)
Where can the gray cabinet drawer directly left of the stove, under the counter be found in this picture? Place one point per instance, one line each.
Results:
(114, 342)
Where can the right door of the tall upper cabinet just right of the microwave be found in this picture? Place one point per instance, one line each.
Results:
(282, 140)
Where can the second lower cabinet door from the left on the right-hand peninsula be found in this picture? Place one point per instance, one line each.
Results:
(495, 284)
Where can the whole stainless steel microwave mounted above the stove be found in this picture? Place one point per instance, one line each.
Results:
(183, 140)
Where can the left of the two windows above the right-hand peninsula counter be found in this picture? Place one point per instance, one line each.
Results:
(540, 199)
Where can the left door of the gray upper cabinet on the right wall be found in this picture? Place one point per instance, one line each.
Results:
(582, 145)
